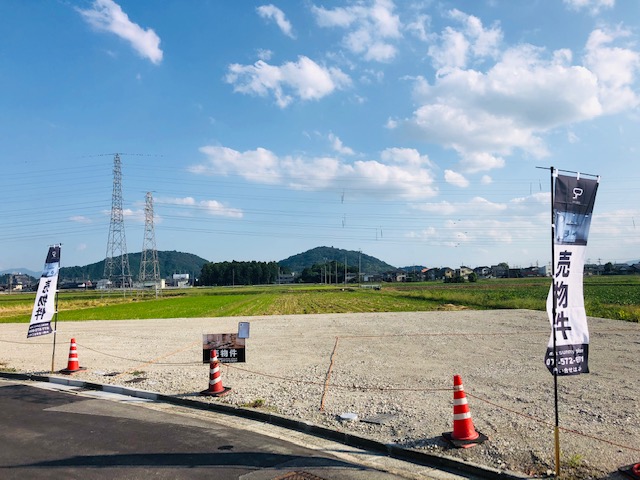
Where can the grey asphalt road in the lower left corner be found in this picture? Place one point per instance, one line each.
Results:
(48, 433)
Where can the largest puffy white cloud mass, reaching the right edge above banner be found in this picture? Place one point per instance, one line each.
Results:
(523, 92)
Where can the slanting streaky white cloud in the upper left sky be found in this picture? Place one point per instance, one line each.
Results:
(106, 15)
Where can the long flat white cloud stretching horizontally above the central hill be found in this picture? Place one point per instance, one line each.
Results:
(398, 173)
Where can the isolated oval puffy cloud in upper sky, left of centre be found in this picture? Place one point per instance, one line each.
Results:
(304, 79)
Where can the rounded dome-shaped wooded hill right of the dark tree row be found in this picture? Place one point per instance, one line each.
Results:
(321, 255)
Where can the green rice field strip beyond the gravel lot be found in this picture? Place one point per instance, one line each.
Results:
(615, 297)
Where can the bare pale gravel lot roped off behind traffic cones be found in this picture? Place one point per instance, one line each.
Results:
(394, 370)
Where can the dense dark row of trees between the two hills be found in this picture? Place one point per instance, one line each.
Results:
(239, 273)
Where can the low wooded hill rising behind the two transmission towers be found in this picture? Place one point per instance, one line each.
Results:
(170, 262)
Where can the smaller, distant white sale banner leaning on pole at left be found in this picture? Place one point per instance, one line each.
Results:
(45, 304)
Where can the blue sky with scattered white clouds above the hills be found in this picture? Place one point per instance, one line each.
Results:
(408, 130)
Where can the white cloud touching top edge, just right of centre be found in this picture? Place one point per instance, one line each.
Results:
(371, 28)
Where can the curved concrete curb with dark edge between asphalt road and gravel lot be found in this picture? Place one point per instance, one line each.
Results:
(392, 450)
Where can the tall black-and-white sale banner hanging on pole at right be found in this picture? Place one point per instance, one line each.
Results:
(572, 209)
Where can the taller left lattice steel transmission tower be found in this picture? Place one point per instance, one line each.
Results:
(116, 264)
